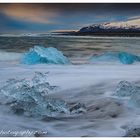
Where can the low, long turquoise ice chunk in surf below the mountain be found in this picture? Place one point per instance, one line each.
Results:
(123, 57)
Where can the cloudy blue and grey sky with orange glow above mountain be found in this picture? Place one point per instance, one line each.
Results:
(21, 18)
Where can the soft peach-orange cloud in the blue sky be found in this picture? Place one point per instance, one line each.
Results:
(30, 12)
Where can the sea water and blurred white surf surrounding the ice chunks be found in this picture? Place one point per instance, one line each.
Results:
(80, 82)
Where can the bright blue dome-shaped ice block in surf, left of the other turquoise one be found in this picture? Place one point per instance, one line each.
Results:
(40, 54)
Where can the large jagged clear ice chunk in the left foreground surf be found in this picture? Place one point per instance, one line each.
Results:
(31, 98)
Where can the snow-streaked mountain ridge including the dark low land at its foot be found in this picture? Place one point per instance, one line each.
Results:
(123, 28)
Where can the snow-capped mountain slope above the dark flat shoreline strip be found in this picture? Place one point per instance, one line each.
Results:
(129, 26)
